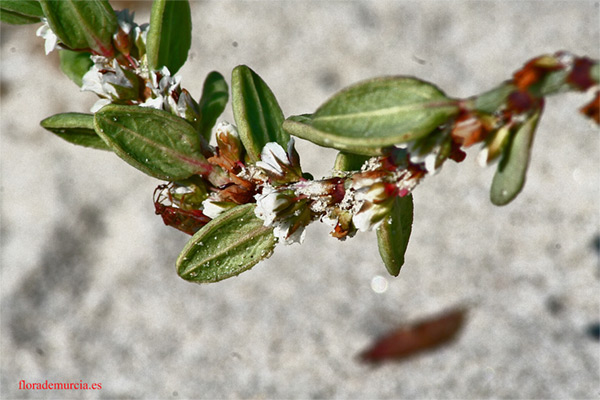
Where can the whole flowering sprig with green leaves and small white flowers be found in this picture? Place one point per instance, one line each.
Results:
(240, 198)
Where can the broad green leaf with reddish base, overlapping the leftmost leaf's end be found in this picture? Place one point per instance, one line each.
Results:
(154, 141)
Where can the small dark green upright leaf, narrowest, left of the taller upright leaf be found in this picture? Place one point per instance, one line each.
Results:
(215, 95)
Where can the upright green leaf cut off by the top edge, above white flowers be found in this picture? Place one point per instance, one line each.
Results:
(170, 34)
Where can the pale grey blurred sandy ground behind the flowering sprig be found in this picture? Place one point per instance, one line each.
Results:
(88, 287)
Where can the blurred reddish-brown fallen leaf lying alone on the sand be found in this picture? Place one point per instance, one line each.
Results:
(410, 340)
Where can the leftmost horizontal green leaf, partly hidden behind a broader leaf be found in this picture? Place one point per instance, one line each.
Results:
(75, 128)
